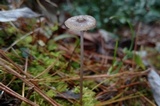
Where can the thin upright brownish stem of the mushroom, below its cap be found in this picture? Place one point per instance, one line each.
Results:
(81, 67)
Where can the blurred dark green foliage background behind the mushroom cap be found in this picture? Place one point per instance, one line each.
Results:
(110, 14)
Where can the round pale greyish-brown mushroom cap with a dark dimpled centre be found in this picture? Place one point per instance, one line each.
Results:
(81, 23)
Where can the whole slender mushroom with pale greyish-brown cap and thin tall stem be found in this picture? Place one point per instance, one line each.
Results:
(81, 23)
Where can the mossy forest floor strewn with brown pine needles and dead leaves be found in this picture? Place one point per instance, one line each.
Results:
(53, 67)
